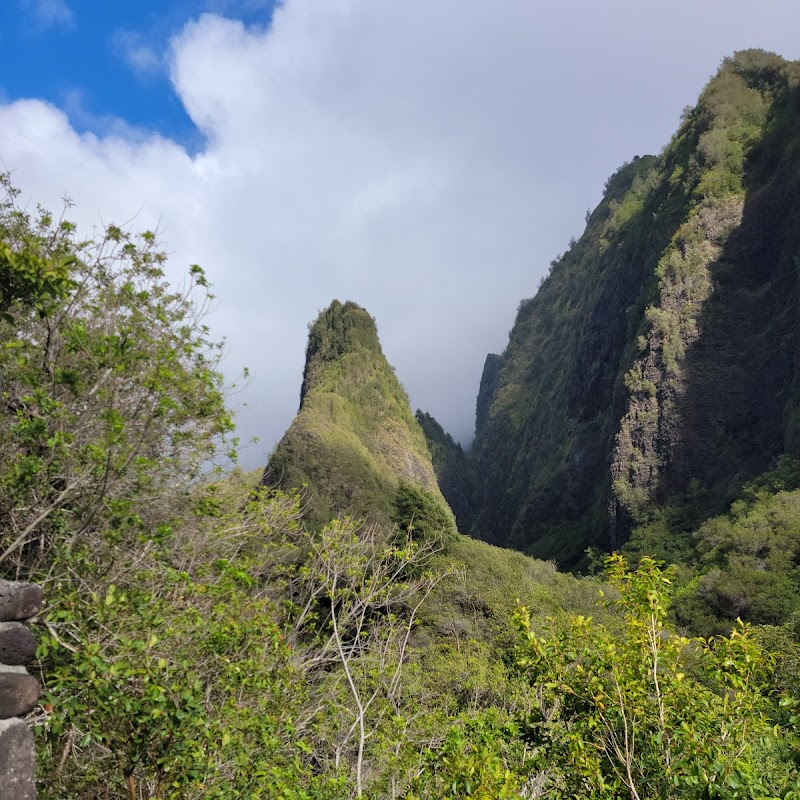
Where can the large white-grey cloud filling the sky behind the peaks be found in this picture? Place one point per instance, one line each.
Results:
(425, 159)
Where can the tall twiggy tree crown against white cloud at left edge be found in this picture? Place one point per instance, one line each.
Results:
(110, 398)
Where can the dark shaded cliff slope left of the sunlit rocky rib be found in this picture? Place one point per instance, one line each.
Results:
(543, 448)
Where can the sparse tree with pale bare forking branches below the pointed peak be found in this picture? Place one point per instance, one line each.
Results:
(354, 602)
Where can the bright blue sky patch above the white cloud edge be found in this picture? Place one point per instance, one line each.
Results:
(105, 59)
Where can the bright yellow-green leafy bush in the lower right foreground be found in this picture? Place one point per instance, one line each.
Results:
(644, 712)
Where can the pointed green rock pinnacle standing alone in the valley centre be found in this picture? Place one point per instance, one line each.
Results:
(354, 440)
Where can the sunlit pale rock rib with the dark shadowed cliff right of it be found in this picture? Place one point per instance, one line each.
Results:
(721, 341)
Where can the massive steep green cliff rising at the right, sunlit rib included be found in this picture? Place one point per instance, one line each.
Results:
(658, 361)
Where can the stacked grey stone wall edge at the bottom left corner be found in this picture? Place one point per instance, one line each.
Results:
(19, 691)
